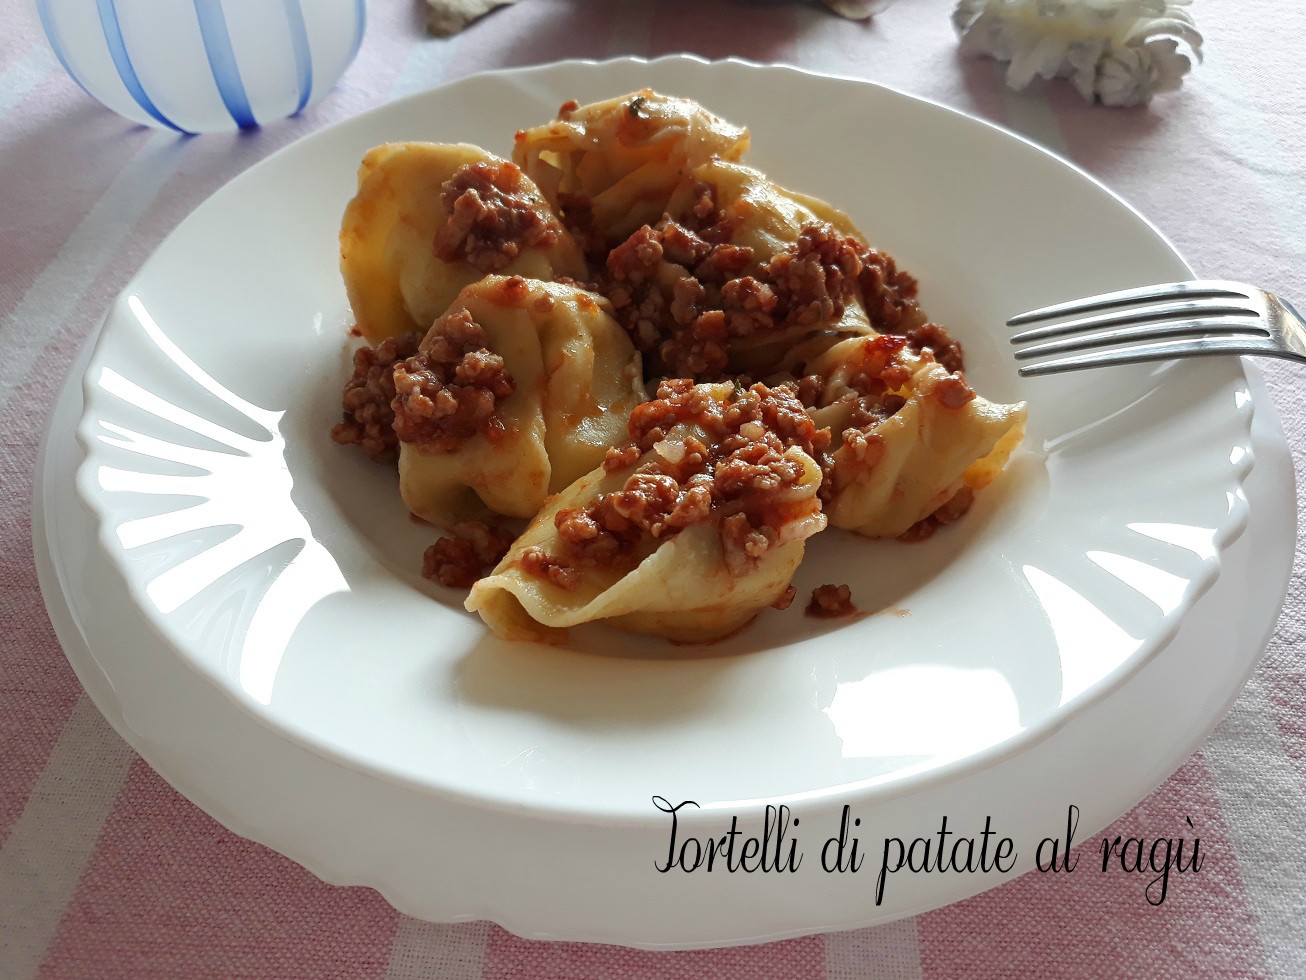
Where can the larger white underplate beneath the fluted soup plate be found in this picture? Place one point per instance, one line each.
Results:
(586, 879)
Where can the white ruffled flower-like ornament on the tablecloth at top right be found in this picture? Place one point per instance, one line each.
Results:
(1120, 53)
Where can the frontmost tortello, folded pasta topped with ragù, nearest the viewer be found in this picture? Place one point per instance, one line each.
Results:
(694, 583)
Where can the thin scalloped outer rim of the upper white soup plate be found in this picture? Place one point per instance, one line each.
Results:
(877, 789)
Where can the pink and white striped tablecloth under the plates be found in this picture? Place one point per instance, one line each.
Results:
(105, 871)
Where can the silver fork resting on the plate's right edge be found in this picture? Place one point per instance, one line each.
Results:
(1160, 323)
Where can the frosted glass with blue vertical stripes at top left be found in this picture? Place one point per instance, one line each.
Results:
(204, 66)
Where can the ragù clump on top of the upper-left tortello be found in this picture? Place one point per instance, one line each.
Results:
(494, 215)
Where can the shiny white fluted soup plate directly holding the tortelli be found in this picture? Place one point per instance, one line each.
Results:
(284, 569)
